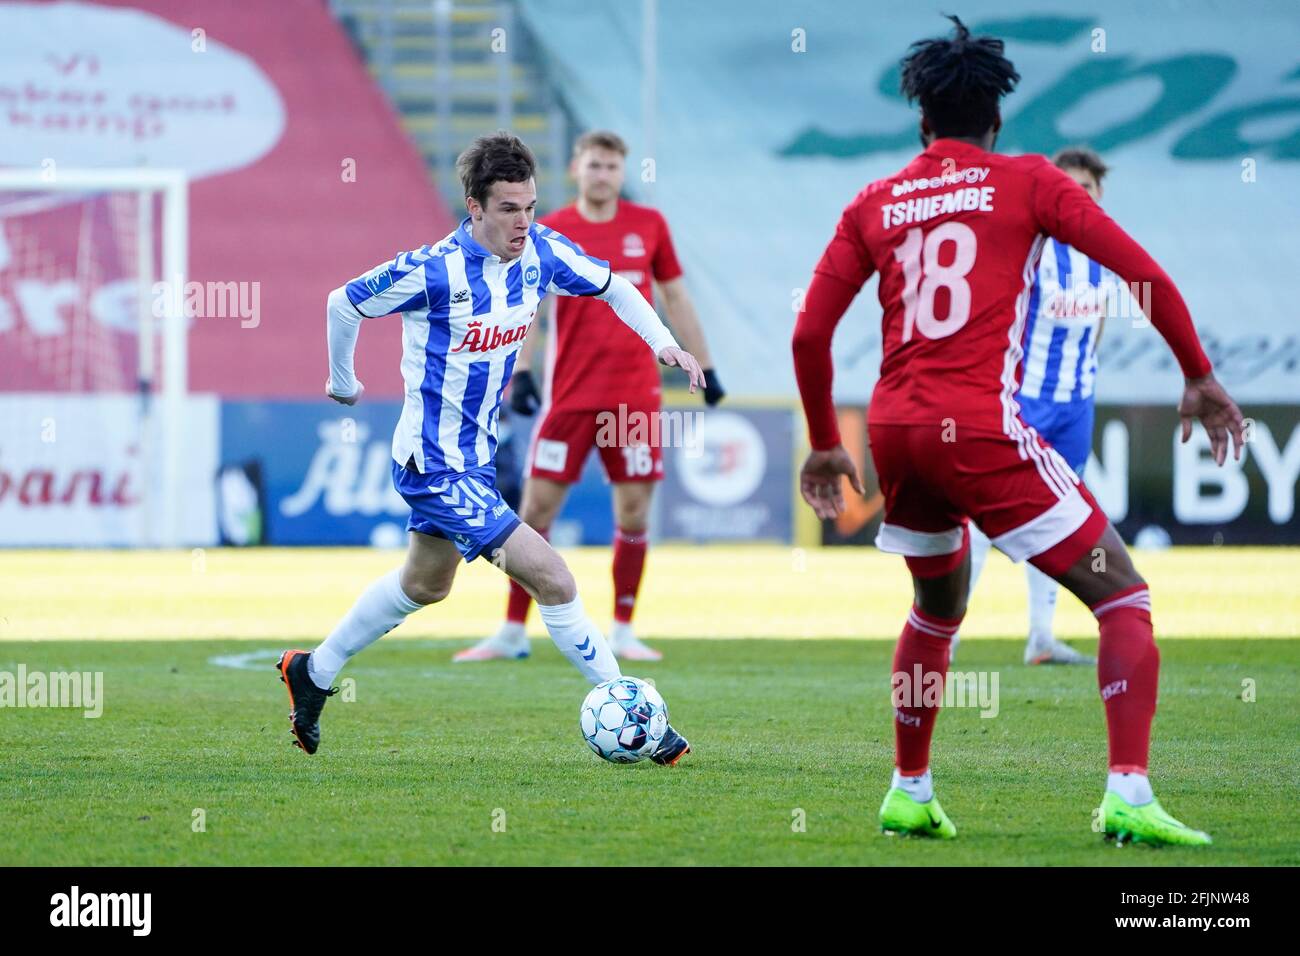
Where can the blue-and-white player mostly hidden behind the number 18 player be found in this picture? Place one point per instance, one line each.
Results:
(1069, 302)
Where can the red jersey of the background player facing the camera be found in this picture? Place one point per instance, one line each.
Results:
(595, 362)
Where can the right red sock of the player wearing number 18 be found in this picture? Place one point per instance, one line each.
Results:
(1128, 674)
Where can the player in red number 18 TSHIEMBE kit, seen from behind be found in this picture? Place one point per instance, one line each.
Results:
(956, 237)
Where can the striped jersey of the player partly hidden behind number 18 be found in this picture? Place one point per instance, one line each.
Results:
(1071, 297)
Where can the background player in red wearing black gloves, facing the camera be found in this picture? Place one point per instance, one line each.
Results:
(593, 367)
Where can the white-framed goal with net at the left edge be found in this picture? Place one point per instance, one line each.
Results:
(93, 357)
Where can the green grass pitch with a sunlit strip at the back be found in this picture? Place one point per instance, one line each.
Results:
(434, 763)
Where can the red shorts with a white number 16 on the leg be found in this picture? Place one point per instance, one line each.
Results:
(626, 436)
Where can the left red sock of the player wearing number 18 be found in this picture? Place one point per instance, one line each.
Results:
(921, 667)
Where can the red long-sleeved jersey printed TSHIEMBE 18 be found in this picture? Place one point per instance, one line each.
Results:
(956, 237)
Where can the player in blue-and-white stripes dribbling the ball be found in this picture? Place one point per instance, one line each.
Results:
(466, 306)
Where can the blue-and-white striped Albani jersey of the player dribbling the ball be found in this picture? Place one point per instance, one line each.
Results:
(465, 317)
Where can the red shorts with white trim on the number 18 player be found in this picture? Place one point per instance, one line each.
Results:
(1019, 491)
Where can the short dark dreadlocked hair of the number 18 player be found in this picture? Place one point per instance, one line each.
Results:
(959, 81)
